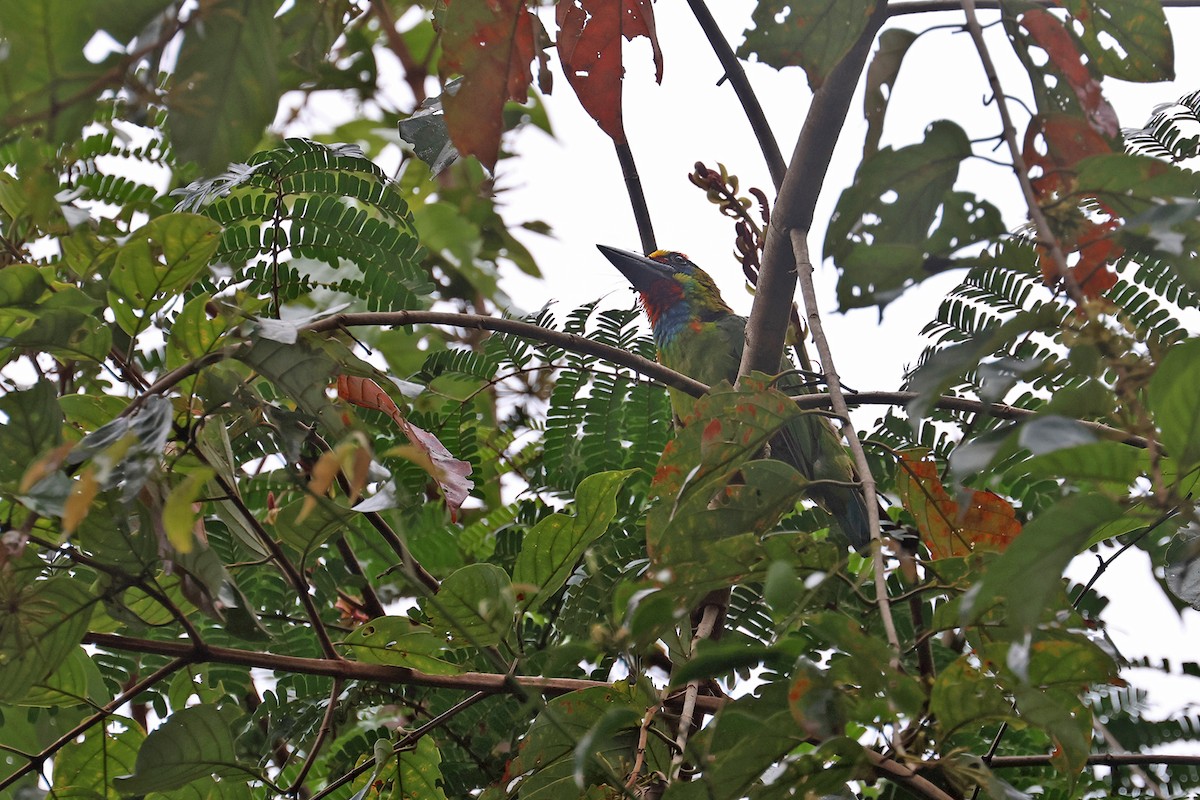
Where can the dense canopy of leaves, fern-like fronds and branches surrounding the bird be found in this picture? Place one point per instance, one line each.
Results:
(292, 509)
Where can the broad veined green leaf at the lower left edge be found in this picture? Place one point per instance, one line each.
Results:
(41, 624)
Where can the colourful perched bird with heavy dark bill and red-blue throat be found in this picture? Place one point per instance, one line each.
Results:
(699, 335)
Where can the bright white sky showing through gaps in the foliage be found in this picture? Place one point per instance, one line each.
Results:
(574, 183)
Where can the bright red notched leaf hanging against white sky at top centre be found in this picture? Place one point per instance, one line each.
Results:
(590, 46)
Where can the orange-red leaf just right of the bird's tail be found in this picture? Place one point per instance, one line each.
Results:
(987, 522)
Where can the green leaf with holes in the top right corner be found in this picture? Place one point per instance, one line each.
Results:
(1126, 39)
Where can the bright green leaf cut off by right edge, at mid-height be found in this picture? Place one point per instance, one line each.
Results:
(1175, 404)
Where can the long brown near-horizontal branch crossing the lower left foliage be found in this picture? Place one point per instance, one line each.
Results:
(478, 682)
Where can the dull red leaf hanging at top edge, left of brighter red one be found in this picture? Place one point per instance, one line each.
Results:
(491, 44)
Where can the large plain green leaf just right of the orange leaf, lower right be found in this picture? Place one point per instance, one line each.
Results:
(1030, 572)
